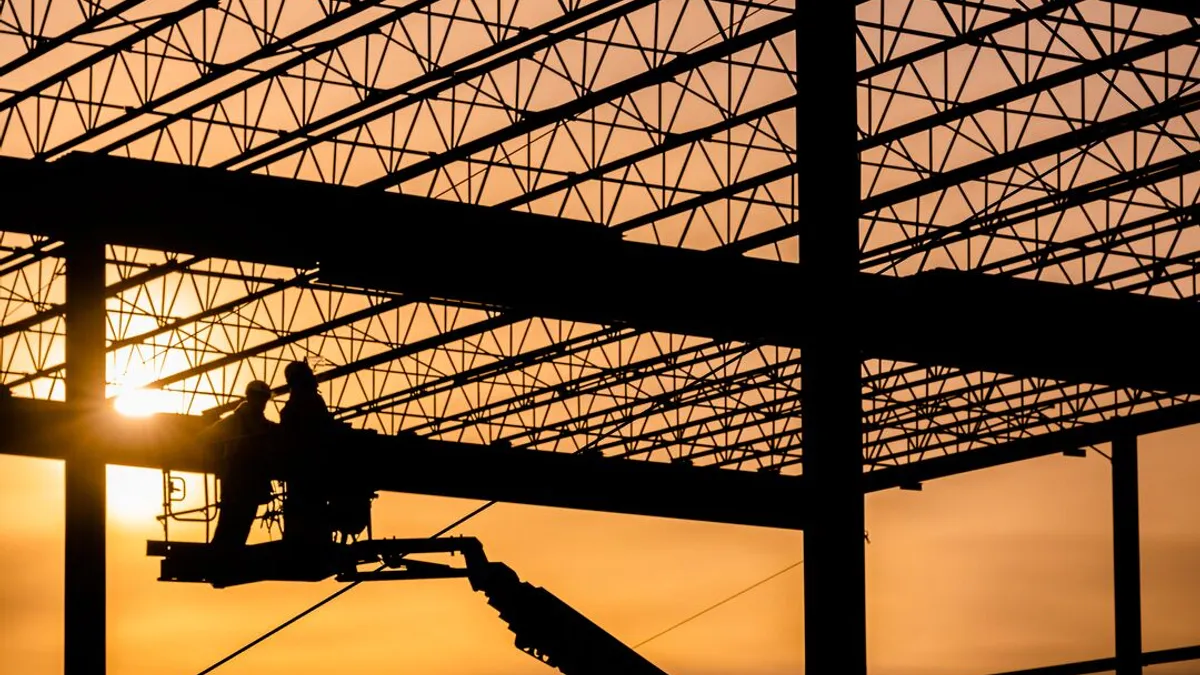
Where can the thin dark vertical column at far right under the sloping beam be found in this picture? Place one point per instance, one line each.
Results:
(1126, 557)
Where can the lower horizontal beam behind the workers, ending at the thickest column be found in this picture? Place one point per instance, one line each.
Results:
(446, 469)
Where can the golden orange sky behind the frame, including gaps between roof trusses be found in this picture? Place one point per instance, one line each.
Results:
(981, 574)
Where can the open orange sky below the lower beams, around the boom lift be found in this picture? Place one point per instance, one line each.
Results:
(980, 574)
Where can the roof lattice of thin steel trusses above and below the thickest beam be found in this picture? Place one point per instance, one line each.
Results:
(1054, 140)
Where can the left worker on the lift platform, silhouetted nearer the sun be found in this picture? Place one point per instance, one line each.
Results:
(244, 443)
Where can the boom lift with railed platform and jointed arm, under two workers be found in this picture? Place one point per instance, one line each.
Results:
(545, 628)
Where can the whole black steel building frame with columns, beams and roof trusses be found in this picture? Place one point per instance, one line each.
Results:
(909, 377)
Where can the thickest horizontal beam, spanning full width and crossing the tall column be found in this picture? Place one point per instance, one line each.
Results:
(583, 272)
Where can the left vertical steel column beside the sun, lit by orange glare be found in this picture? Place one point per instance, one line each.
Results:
(86, 618)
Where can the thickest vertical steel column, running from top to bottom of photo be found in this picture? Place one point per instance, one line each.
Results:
(829, 178)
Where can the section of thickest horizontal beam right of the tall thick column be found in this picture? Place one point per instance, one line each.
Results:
(1033, 330)
